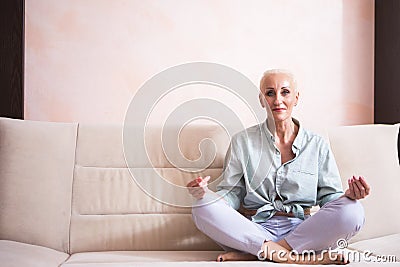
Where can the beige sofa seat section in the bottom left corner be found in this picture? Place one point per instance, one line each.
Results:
(20, 254)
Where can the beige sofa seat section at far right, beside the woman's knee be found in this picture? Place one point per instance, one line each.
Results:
(381, 246)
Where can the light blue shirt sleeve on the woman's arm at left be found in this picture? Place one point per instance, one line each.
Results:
(232, 187)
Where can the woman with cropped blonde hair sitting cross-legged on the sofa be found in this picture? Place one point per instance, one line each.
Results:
(276, 172)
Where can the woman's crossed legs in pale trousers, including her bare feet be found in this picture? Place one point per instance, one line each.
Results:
(340, 218)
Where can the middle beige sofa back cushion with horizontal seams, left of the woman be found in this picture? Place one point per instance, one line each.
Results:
(110, 211)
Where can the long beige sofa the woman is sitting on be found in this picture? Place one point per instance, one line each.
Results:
(67, 197)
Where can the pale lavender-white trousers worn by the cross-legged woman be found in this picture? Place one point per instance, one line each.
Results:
(338, 219)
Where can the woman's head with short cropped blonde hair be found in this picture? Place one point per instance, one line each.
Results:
(278, 92)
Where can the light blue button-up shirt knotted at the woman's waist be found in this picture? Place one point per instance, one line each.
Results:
(254, 175)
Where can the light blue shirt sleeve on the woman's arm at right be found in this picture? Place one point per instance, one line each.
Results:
(329, 182)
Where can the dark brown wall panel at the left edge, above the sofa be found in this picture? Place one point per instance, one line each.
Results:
(11, 58)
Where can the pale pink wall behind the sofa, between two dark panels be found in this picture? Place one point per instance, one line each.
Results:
(85, 59)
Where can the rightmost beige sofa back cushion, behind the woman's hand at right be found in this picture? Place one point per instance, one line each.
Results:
(371, 151)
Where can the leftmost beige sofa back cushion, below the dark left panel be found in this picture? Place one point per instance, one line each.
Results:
(36, 170)
